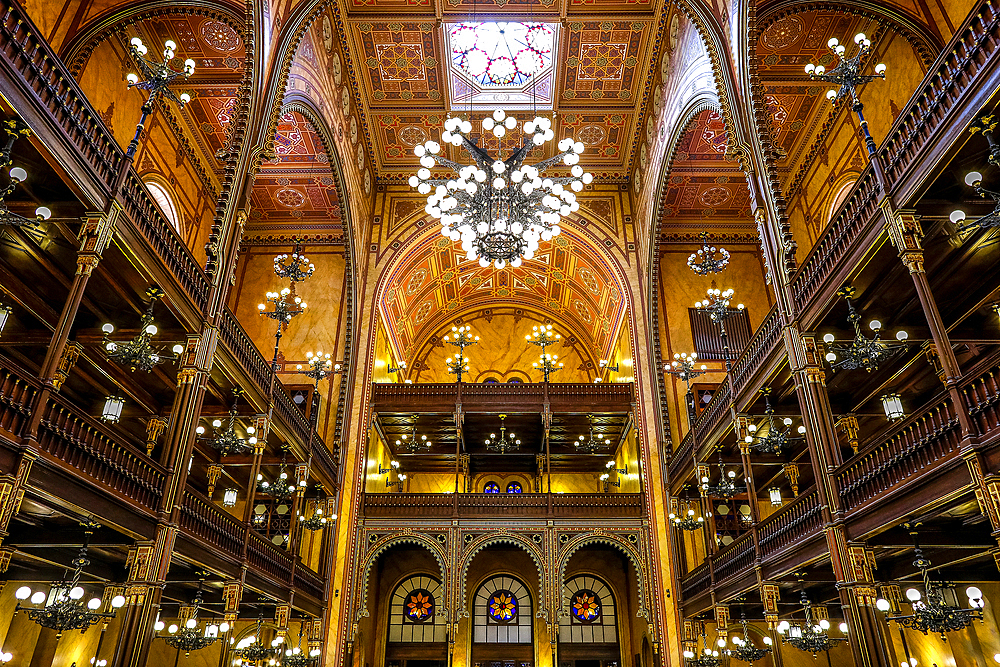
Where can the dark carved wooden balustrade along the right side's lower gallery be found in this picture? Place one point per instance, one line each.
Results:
(923, 449)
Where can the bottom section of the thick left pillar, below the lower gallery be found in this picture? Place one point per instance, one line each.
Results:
(148, 564)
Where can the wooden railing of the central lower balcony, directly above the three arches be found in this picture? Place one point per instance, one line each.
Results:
(522, 505)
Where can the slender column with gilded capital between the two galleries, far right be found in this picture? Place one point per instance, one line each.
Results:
(906, 234)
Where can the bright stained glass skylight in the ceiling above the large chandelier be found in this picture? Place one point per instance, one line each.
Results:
(507, 64)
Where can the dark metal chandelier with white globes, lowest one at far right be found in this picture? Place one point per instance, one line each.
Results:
(934, 614)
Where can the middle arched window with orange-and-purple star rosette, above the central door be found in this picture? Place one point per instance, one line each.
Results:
(503, 612)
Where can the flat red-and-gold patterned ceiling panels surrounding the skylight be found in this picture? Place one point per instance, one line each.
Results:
(599, 77)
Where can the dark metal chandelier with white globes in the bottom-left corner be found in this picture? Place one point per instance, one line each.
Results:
(65, 609)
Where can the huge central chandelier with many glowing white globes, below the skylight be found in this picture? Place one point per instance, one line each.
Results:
(499, 208)
